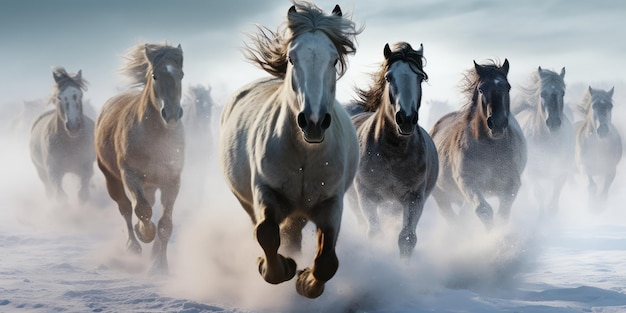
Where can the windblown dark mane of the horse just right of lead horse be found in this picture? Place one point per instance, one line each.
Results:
(371, 99)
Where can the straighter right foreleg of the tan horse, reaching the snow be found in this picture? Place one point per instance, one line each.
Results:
(165, 227)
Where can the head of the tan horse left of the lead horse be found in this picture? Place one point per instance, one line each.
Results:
(166, 81)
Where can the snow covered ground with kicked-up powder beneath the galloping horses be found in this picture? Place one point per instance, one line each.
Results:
(72, 259)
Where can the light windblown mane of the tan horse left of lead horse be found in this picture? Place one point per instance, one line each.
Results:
(137, 66)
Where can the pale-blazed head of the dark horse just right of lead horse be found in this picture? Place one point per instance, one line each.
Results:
(404, 77)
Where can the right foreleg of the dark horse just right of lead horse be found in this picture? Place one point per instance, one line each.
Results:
(413, 207)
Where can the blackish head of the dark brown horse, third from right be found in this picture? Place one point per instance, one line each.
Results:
(493, 93)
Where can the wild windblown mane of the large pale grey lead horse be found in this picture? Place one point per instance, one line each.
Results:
(268, 49)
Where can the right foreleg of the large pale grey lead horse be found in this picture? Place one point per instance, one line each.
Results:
(311, 281)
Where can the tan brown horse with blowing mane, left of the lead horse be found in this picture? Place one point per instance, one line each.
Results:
(140, 145)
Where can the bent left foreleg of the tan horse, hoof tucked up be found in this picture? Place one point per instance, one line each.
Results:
(145, 228)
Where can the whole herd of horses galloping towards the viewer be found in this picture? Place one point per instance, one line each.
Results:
(289, 151)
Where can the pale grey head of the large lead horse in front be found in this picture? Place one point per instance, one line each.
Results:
(313, 58)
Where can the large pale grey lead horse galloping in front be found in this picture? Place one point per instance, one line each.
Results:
(288, 149)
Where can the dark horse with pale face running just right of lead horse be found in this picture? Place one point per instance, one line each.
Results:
(398, 159)
